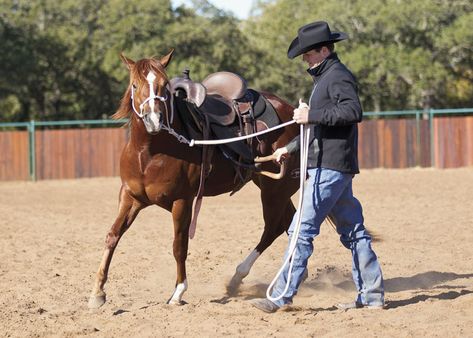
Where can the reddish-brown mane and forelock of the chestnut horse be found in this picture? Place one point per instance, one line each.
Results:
(138, 72)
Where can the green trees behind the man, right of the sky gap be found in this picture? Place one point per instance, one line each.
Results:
(405, 54)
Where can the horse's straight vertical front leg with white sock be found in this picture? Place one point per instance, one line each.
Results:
(181, 215)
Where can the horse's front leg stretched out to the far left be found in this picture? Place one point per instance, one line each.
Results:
(127, 212)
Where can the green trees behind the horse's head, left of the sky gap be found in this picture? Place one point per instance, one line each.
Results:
(61, 59)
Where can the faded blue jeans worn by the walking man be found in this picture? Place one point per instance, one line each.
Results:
(329, 193)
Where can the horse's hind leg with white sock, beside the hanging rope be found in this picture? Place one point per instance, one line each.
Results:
(278, 214)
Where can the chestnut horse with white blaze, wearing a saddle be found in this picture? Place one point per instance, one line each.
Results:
(157, 169)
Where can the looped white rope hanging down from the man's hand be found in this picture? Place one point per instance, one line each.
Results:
(304, 149)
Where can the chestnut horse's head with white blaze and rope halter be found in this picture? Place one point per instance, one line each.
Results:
(147, 93)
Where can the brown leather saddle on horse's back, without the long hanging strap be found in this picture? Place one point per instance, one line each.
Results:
(222, 106)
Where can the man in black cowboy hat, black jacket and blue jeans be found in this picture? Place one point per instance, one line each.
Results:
(333, 115)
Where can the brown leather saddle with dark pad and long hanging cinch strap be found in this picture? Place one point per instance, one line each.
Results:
(222, 107)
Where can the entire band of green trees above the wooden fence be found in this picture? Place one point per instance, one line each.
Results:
(60, 59)
